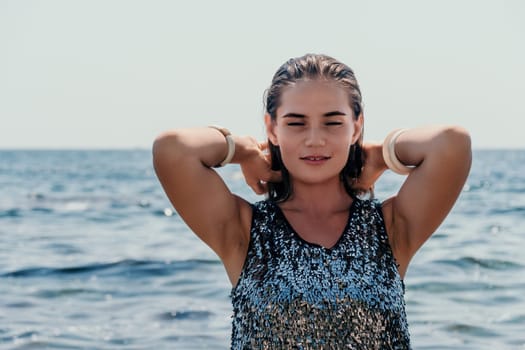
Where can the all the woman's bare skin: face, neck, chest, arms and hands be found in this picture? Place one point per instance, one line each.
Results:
(314, 130)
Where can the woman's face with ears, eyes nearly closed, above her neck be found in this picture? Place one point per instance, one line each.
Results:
(314, 130)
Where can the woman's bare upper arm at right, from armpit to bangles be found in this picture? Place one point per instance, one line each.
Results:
(442, 156)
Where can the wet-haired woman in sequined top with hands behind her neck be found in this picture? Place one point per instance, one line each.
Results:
(314, 266)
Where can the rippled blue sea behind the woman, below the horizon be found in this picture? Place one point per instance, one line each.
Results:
(93, 256)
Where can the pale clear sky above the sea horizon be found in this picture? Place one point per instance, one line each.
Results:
(114, 74)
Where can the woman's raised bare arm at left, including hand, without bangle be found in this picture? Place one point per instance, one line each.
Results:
(183, 160)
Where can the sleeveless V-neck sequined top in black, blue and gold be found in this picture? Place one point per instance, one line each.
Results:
(293, 294)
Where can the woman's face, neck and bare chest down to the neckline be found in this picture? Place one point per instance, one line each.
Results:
(314, 130)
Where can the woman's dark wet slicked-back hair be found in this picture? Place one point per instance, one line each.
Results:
(314, 67)
